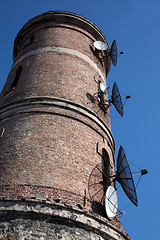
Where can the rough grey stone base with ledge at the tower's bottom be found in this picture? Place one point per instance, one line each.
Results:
(47, 220)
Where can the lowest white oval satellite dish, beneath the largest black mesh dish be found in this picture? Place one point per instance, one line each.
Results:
(111, 204)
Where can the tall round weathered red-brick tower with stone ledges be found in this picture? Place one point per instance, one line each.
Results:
(53, 132)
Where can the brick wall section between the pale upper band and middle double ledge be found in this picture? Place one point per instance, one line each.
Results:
(50, 74)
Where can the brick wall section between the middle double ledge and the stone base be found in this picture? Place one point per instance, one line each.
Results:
(51, 149)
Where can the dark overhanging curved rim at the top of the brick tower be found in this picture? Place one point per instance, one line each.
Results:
(59, 17)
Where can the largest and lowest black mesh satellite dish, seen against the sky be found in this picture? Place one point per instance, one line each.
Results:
(124, 176)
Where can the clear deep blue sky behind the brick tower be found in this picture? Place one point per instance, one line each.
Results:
(136, 27)
